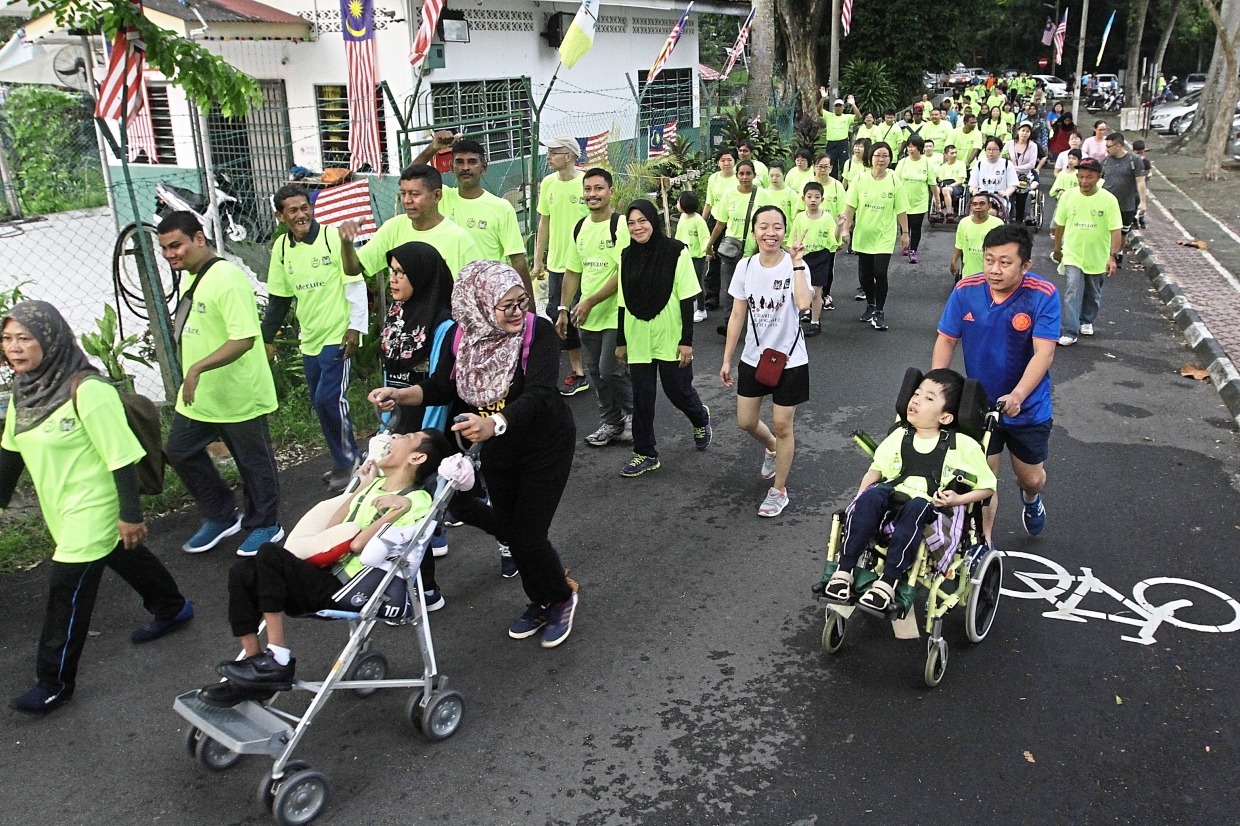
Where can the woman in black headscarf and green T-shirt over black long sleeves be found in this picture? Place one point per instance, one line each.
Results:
(655, 332)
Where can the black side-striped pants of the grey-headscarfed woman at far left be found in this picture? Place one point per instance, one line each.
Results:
(73, 591)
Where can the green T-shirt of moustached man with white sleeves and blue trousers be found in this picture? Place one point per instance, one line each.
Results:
(314, 275)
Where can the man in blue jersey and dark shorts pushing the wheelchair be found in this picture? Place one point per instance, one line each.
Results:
(1007, 323)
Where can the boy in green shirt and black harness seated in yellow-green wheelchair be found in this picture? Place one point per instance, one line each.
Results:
(903, 489)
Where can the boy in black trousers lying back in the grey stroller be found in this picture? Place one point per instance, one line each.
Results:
(340, 576)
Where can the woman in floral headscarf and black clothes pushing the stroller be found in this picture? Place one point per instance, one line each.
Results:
(504, 378)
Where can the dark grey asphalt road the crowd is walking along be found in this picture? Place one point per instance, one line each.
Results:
(694, 689)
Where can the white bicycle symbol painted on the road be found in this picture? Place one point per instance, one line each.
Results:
(1056, 581)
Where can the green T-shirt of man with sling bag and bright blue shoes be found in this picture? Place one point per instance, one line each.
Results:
(225, 311)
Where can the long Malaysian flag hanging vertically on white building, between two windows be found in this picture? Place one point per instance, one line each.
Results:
(358, 27)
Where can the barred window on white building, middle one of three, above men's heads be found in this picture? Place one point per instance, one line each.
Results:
(495, 113)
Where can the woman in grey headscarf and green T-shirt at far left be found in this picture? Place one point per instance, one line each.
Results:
(69, 429)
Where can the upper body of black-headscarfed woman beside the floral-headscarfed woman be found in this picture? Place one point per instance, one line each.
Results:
(422, 296)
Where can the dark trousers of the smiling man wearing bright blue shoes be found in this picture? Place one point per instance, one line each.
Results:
(251, 446)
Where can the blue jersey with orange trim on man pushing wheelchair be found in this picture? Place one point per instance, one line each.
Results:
(998, 339)
